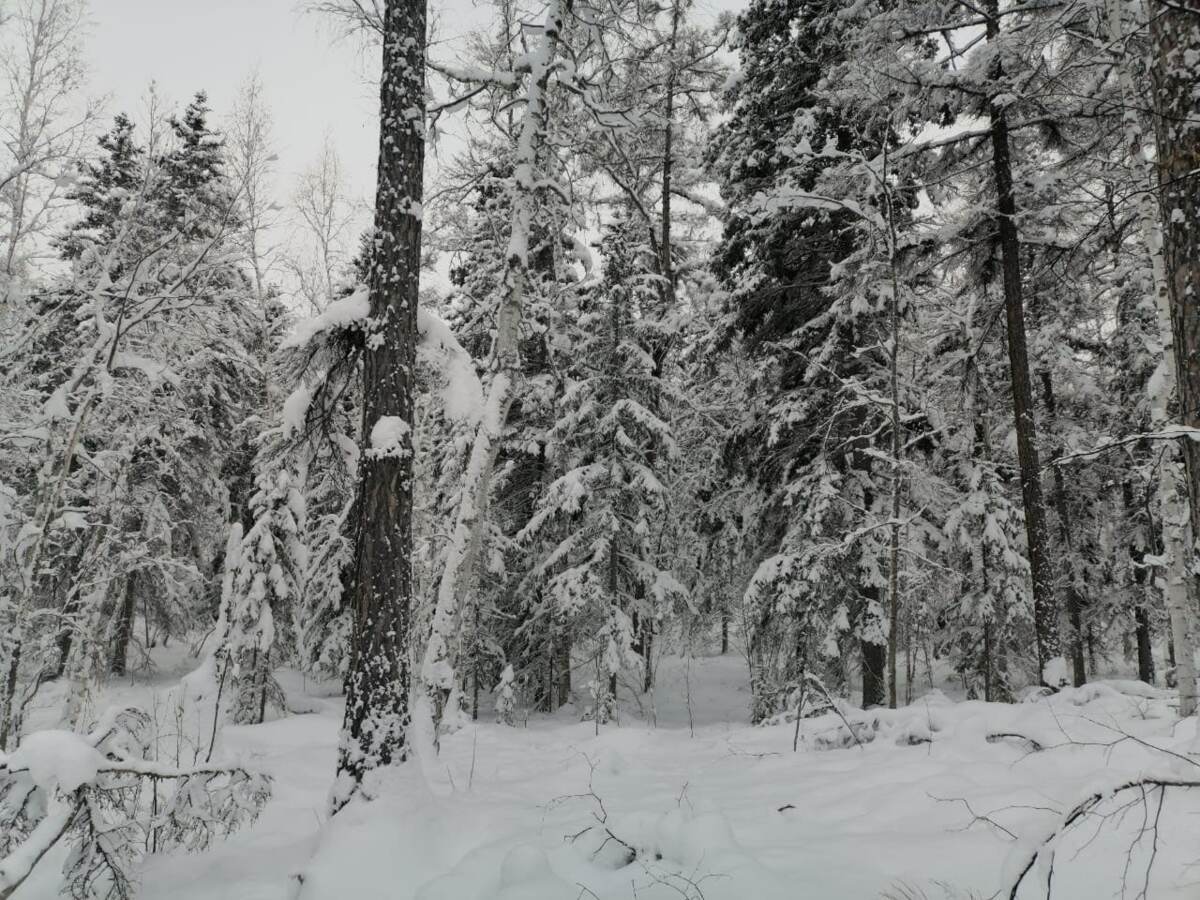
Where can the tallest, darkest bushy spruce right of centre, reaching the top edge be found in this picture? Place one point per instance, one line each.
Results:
(814, 345)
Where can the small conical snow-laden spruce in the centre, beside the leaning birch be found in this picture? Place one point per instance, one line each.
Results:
(605, 513)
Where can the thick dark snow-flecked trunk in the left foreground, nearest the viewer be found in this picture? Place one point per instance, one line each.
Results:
(377, 686)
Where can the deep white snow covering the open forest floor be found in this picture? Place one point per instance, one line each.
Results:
(932, 805)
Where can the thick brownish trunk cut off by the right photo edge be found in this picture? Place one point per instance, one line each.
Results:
(1175, 38)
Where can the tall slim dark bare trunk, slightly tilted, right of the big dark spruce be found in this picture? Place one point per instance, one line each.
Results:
(1045, 609)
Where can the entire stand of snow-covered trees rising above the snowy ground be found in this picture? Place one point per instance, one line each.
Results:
(869, 359)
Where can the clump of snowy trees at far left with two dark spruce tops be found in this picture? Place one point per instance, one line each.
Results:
(137, 371)
